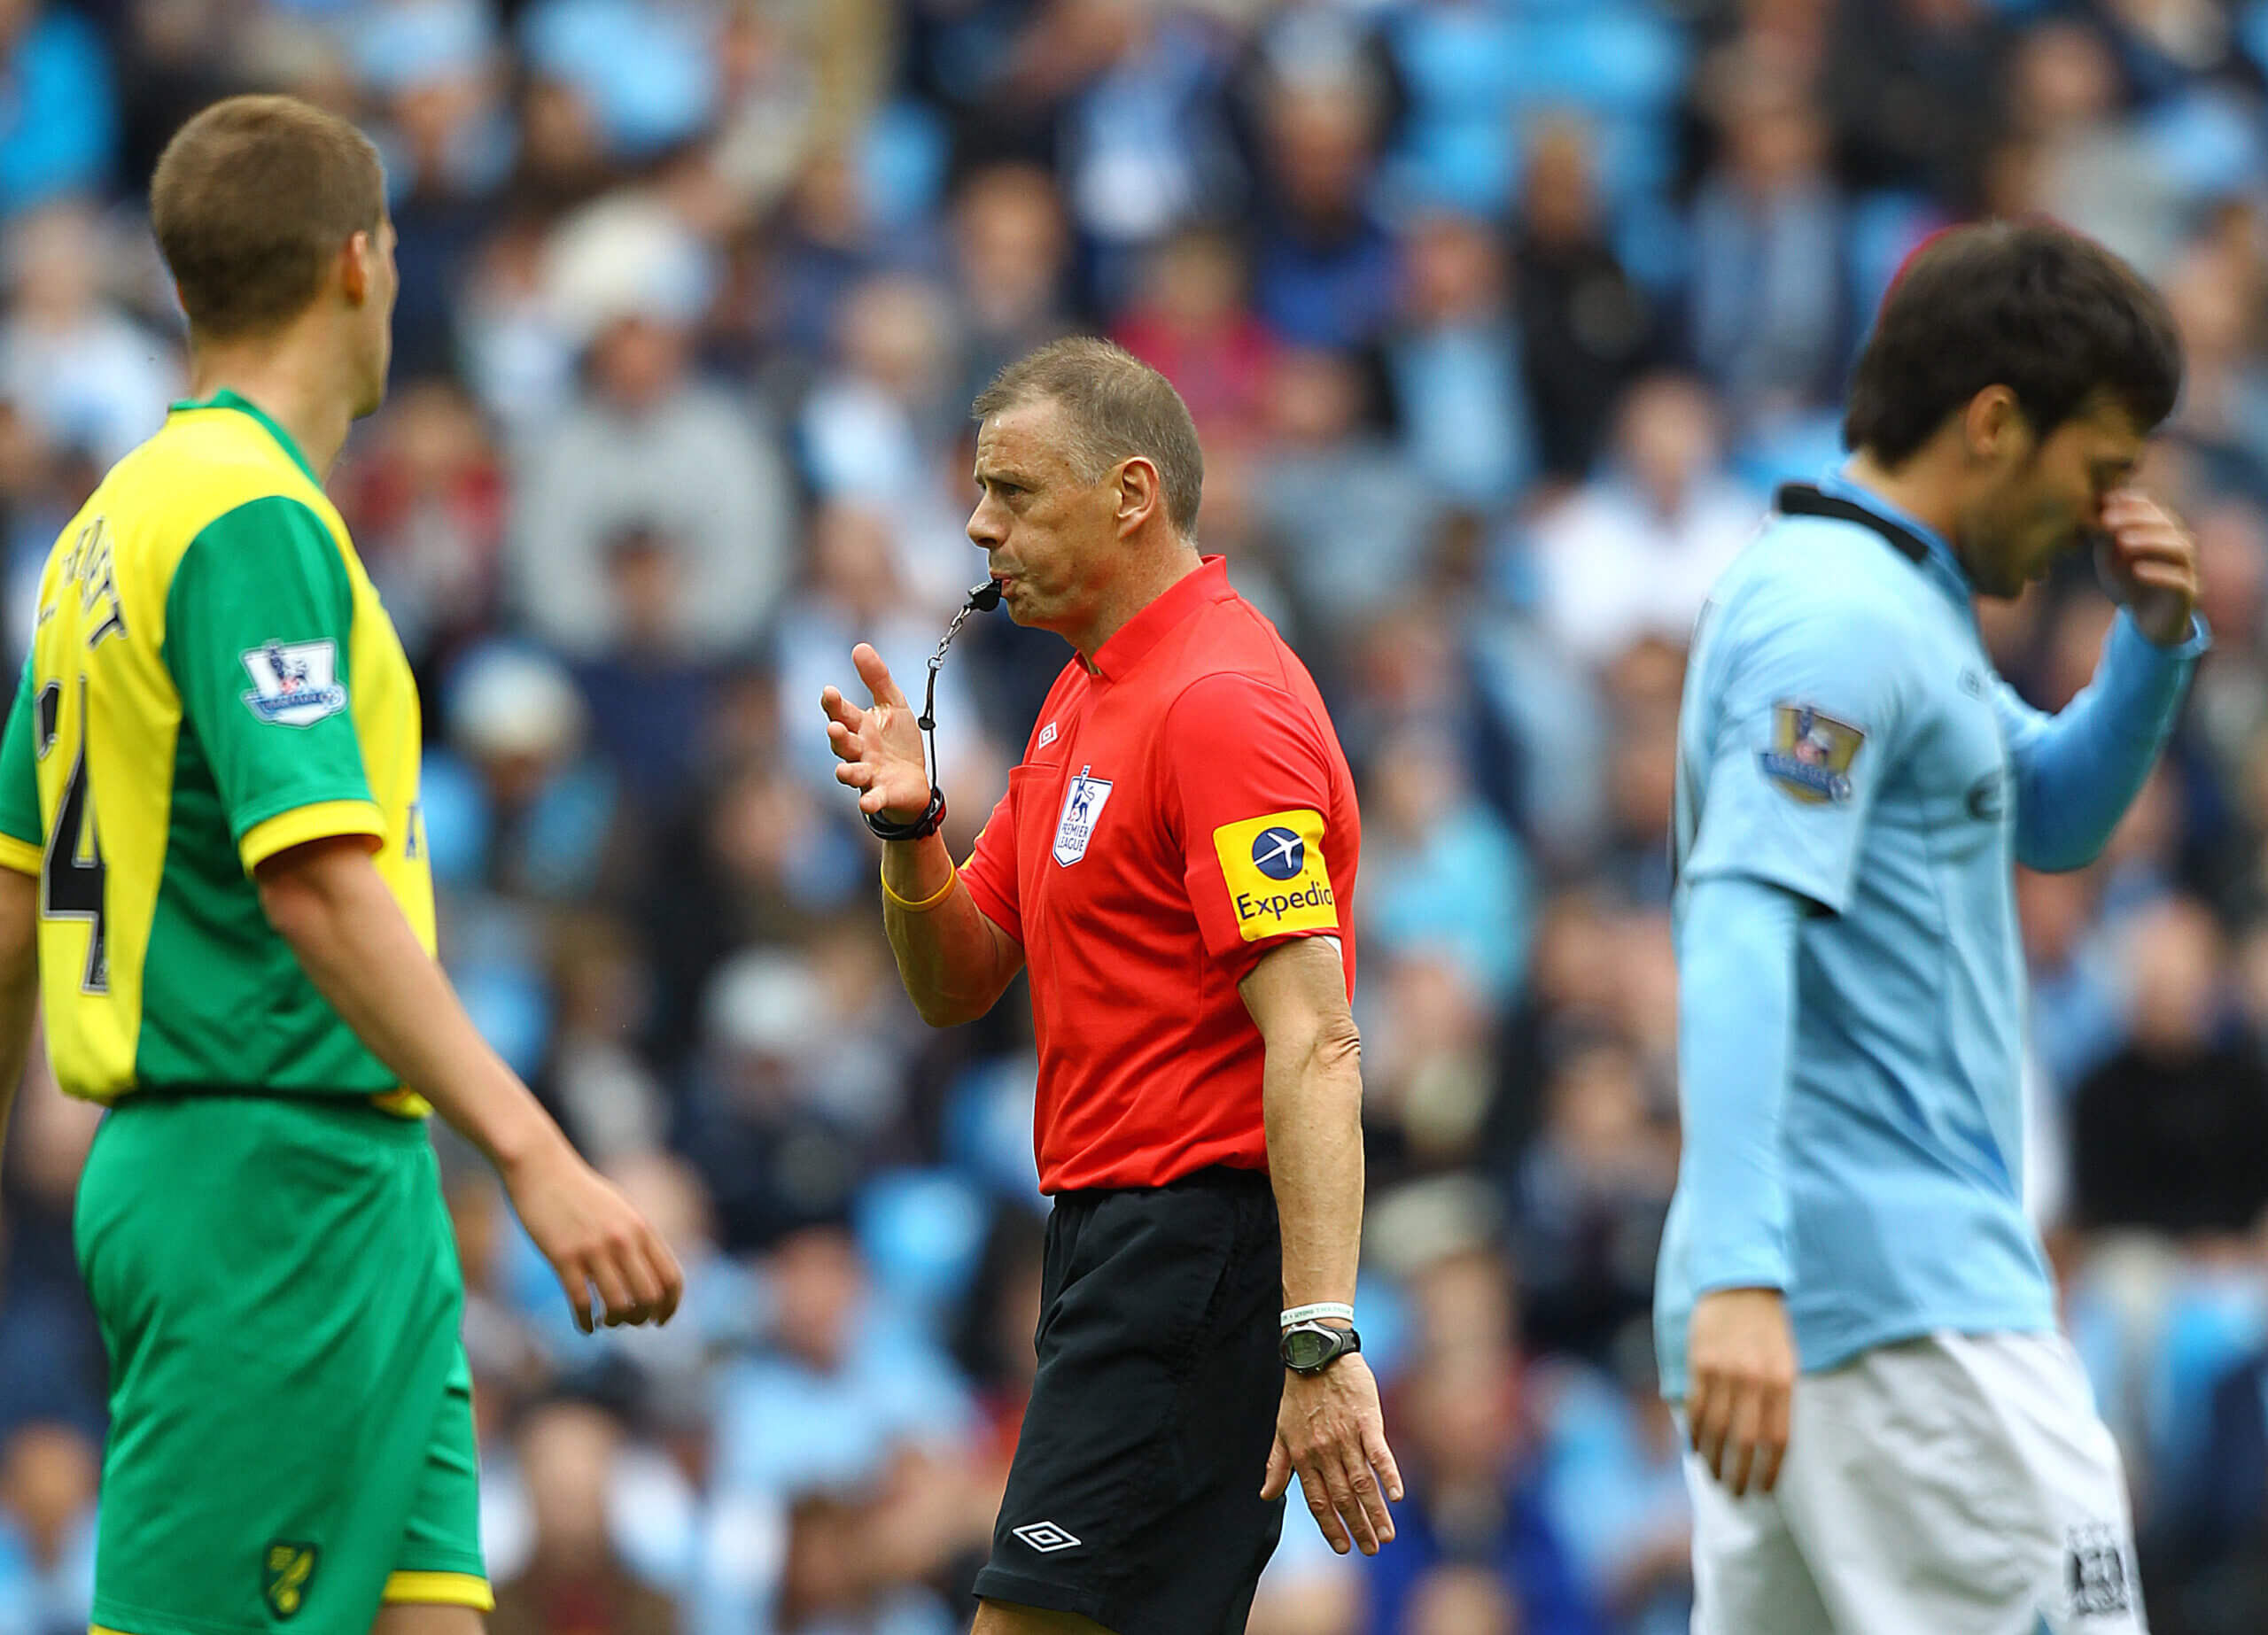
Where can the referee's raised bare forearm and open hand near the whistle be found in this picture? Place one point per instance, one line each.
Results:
(951, 958)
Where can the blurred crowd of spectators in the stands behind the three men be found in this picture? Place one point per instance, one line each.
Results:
(1498, 319)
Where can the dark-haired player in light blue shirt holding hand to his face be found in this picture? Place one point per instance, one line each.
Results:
(1854, 1312)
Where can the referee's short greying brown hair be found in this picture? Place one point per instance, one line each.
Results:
(1115, 409)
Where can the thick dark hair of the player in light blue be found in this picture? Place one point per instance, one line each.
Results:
(2033, 307)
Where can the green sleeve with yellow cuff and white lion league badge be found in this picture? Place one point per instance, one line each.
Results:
(257, 625)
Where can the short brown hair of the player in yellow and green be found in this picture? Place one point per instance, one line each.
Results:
(251, 201)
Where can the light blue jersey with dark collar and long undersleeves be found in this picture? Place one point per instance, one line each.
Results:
(1859, 1137)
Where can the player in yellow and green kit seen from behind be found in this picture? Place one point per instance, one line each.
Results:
(214, 876)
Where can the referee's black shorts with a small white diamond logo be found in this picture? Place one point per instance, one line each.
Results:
(1135, 1498)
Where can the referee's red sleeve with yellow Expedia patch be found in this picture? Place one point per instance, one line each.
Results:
(1253, 820)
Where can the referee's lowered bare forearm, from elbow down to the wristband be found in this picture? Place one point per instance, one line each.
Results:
(1314, 1112)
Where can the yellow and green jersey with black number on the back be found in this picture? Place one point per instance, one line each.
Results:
(212, 681)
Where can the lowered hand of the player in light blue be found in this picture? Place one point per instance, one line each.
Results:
(1741, 1366)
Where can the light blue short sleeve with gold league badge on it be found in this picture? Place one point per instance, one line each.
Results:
(1797, 745)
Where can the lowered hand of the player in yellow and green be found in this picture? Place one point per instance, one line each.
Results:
(595, 1239)
